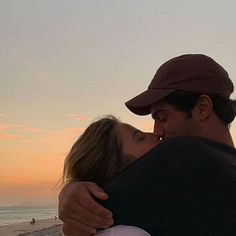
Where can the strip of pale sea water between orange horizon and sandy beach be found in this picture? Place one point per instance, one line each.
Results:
(18, 214)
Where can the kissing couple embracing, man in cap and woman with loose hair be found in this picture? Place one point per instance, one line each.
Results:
(178, 180)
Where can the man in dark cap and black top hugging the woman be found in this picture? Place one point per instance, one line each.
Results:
(186, 185)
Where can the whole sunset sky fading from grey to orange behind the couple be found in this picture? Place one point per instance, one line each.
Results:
(65, 63)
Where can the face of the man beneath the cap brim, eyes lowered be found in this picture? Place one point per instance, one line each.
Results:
(170, 123)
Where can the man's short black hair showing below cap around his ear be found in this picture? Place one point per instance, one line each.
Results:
(185, 101)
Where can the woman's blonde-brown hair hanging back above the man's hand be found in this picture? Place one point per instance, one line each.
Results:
(97, 155)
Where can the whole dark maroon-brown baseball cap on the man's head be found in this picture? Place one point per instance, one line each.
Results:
(189, 72)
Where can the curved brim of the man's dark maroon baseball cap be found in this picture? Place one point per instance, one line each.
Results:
(141, 104)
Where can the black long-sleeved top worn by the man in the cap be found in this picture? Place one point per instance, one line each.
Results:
(185, 186)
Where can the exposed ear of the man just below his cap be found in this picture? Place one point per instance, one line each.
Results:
(203, 108)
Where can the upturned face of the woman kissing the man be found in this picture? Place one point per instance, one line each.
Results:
(135, 142)
